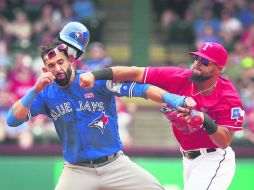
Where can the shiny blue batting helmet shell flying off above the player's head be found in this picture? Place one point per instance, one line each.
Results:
(75, 34)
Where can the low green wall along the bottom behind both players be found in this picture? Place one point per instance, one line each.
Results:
(41, 173)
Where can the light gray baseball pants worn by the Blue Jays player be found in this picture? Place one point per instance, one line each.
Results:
(119, 174)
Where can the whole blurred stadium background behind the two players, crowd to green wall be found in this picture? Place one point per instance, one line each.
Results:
(141, 33)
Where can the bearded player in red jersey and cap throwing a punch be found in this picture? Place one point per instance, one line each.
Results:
(204, 134)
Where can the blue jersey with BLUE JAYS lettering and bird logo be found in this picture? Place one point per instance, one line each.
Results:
(85, 120)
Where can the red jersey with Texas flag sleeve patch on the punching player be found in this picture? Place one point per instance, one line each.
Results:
(223, 105)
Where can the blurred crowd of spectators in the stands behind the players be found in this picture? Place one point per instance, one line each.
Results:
(25, 24)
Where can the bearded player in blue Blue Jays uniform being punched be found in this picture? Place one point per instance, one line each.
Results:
(86, 122)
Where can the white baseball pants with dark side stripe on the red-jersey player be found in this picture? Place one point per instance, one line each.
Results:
(210, 171)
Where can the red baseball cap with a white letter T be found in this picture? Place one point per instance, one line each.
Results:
(214, 52)
